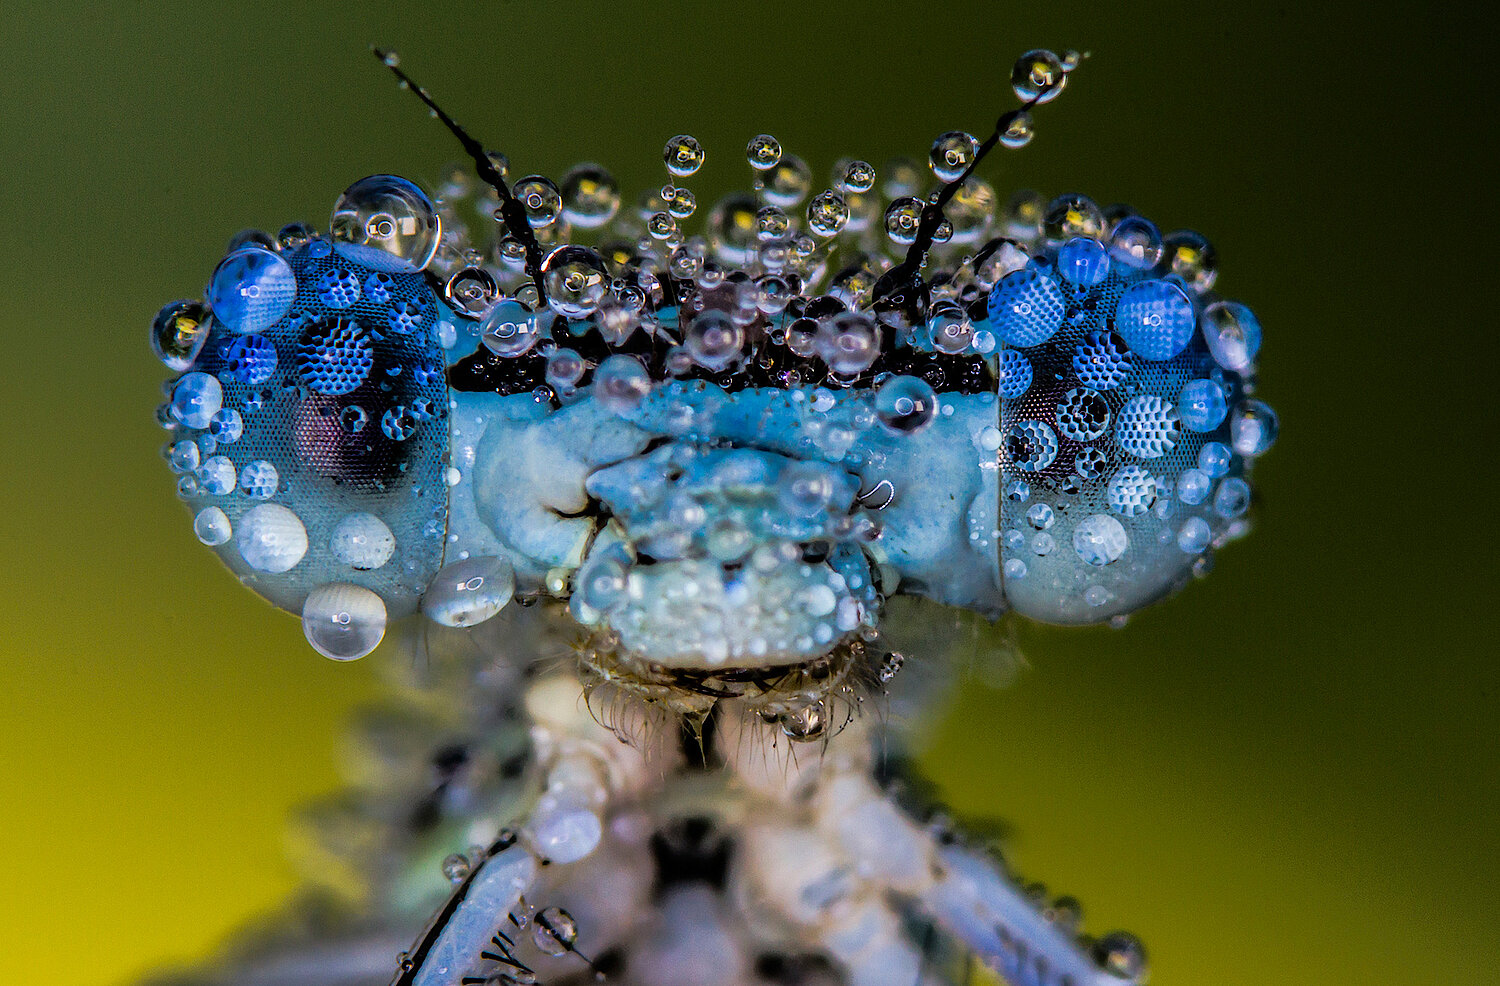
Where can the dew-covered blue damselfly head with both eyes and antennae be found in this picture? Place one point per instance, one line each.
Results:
(724, 451)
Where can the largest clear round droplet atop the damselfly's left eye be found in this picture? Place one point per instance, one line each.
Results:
(388, 215)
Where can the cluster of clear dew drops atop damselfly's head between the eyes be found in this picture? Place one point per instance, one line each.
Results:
(779, 275)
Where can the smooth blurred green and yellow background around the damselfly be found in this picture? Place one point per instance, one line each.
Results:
(1286, 775)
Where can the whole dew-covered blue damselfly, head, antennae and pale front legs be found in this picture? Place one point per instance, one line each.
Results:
(718, 458)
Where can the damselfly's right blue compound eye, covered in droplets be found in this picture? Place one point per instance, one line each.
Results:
(1127, 428)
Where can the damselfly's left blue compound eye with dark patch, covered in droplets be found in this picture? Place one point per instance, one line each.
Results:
(311, 430)
